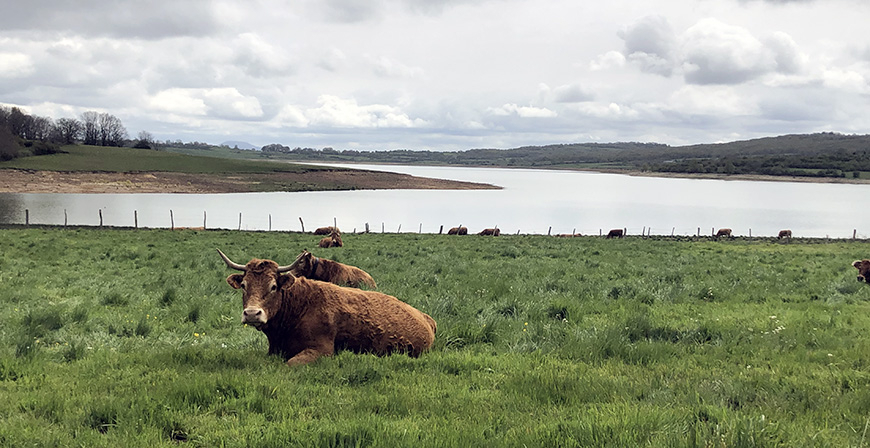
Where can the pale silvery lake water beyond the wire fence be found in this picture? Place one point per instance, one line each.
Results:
(532, 201)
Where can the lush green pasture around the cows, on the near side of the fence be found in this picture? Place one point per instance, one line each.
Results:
(121, 337)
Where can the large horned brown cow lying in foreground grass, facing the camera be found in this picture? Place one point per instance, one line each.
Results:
(305, 319)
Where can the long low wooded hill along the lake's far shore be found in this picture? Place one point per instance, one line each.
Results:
(822, 154)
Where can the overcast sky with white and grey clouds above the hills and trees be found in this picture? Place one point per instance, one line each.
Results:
(443, 74)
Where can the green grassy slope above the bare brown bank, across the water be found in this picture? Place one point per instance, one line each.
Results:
(109, 159)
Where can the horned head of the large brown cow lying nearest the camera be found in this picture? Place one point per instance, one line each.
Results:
(261, 283)
